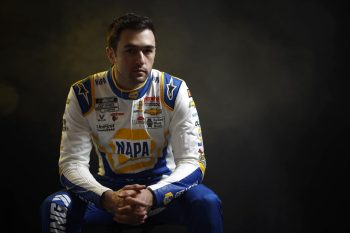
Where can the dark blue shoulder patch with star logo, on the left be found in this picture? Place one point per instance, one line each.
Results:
(84, 91)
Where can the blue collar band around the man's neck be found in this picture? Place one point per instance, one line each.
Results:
(128, 94)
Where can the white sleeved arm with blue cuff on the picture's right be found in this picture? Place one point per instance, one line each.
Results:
(186, 142)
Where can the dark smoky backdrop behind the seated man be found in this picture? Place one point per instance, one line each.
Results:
(267, 77)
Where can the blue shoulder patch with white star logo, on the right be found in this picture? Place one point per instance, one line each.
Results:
(170, 87)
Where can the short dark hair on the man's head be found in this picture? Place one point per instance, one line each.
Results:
(127, 21)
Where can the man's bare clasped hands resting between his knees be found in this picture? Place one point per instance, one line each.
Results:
(129, 205)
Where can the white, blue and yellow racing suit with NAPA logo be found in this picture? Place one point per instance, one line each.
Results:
(150, 135)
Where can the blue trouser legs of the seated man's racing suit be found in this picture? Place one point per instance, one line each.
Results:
(199, 209)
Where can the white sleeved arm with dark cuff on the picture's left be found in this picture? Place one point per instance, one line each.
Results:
(75, 153)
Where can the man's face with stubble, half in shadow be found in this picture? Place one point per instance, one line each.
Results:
(134, 57)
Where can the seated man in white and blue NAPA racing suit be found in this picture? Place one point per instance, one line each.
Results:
(146, 132)
